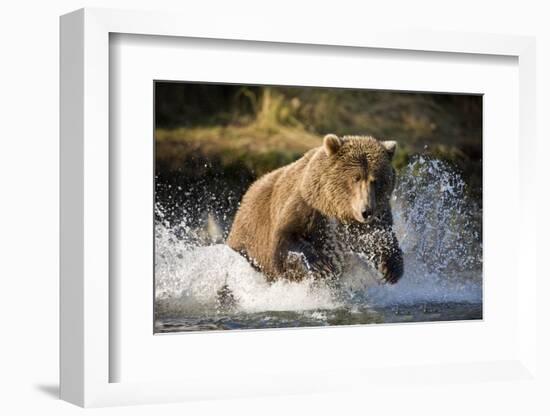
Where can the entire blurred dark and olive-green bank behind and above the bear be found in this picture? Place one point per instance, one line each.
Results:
(231, 134)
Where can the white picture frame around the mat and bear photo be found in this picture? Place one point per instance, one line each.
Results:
(85, 221)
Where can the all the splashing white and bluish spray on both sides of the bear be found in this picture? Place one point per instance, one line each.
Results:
(436, 223)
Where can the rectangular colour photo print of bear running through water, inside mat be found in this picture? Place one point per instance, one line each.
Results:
(290, 206)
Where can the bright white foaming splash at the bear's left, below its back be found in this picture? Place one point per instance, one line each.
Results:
(188, 280)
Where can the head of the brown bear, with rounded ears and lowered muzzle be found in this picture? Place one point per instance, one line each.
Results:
(350, 178)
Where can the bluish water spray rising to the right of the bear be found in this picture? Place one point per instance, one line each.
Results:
(438, 228)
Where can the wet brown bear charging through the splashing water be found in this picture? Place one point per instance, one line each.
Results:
(305, 218)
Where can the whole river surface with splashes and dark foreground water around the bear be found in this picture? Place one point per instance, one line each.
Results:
(439, 230)
